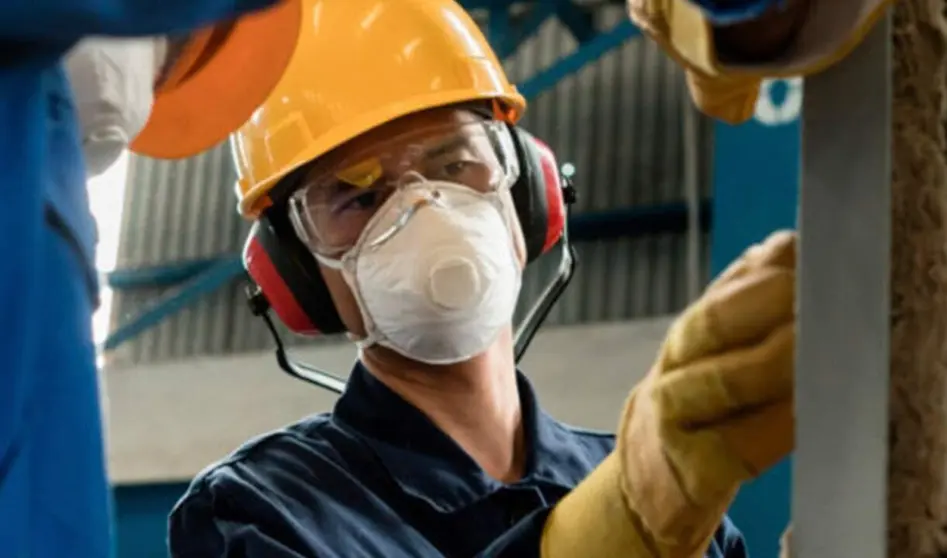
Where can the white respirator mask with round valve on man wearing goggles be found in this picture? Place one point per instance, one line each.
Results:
(435, 272)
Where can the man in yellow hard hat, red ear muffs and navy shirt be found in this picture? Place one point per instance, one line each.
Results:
(395, 200)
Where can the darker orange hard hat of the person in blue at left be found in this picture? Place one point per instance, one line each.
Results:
(220, 77)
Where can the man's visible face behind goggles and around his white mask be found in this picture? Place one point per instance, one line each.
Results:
(342, 191)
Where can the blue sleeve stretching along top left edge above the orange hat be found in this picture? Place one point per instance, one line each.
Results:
(66, 21)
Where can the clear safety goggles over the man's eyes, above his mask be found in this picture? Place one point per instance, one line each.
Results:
(337, 200)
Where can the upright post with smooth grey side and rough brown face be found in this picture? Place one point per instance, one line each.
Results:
(868, 463)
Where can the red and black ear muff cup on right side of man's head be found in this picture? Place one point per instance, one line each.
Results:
(537, 194)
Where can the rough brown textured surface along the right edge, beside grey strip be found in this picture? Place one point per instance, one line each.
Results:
(917, 508)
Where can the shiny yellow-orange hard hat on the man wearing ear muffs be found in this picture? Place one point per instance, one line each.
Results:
(357, 65)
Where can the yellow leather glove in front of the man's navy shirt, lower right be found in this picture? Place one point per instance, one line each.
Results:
(715, 411)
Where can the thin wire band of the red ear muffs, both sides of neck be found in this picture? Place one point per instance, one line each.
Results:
(525, 332)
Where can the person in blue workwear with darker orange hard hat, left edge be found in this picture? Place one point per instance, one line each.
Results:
(54, 498)
